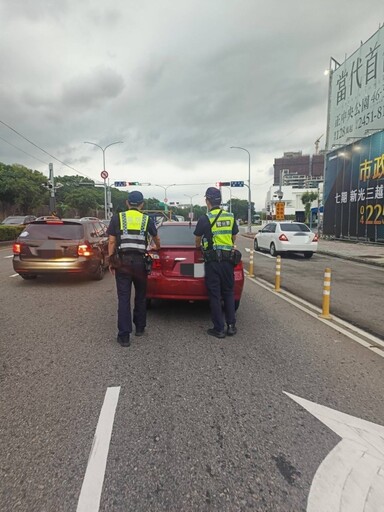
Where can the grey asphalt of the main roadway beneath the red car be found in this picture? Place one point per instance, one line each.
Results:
(201, 424)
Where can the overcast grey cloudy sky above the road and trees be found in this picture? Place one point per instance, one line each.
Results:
(177, 81)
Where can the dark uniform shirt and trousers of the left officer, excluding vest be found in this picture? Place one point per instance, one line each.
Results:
(133, 270)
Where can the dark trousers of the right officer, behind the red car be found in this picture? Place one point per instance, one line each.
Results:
(220, 282)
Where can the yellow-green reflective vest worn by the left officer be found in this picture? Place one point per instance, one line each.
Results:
(133, 231)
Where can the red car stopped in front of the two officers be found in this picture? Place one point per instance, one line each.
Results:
(178, 267)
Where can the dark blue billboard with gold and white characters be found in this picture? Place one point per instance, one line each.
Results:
(353, 195)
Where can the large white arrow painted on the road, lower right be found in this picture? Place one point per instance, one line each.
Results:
(351, 477)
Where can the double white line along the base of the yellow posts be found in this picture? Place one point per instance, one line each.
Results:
(331, 323)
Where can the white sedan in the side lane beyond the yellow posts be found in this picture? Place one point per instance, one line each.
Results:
(286, 236)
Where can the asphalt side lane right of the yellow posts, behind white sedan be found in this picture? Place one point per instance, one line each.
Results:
(356, 289)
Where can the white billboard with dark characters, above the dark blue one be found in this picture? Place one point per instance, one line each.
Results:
(356, 93)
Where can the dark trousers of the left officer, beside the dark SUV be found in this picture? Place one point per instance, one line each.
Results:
(132, 271)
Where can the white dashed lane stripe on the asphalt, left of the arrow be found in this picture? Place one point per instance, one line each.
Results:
(89, 500)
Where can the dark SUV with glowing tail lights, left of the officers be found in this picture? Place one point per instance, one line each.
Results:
(62, 246)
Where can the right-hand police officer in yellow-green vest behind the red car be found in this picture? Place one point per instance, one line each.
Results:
(216, 233)
